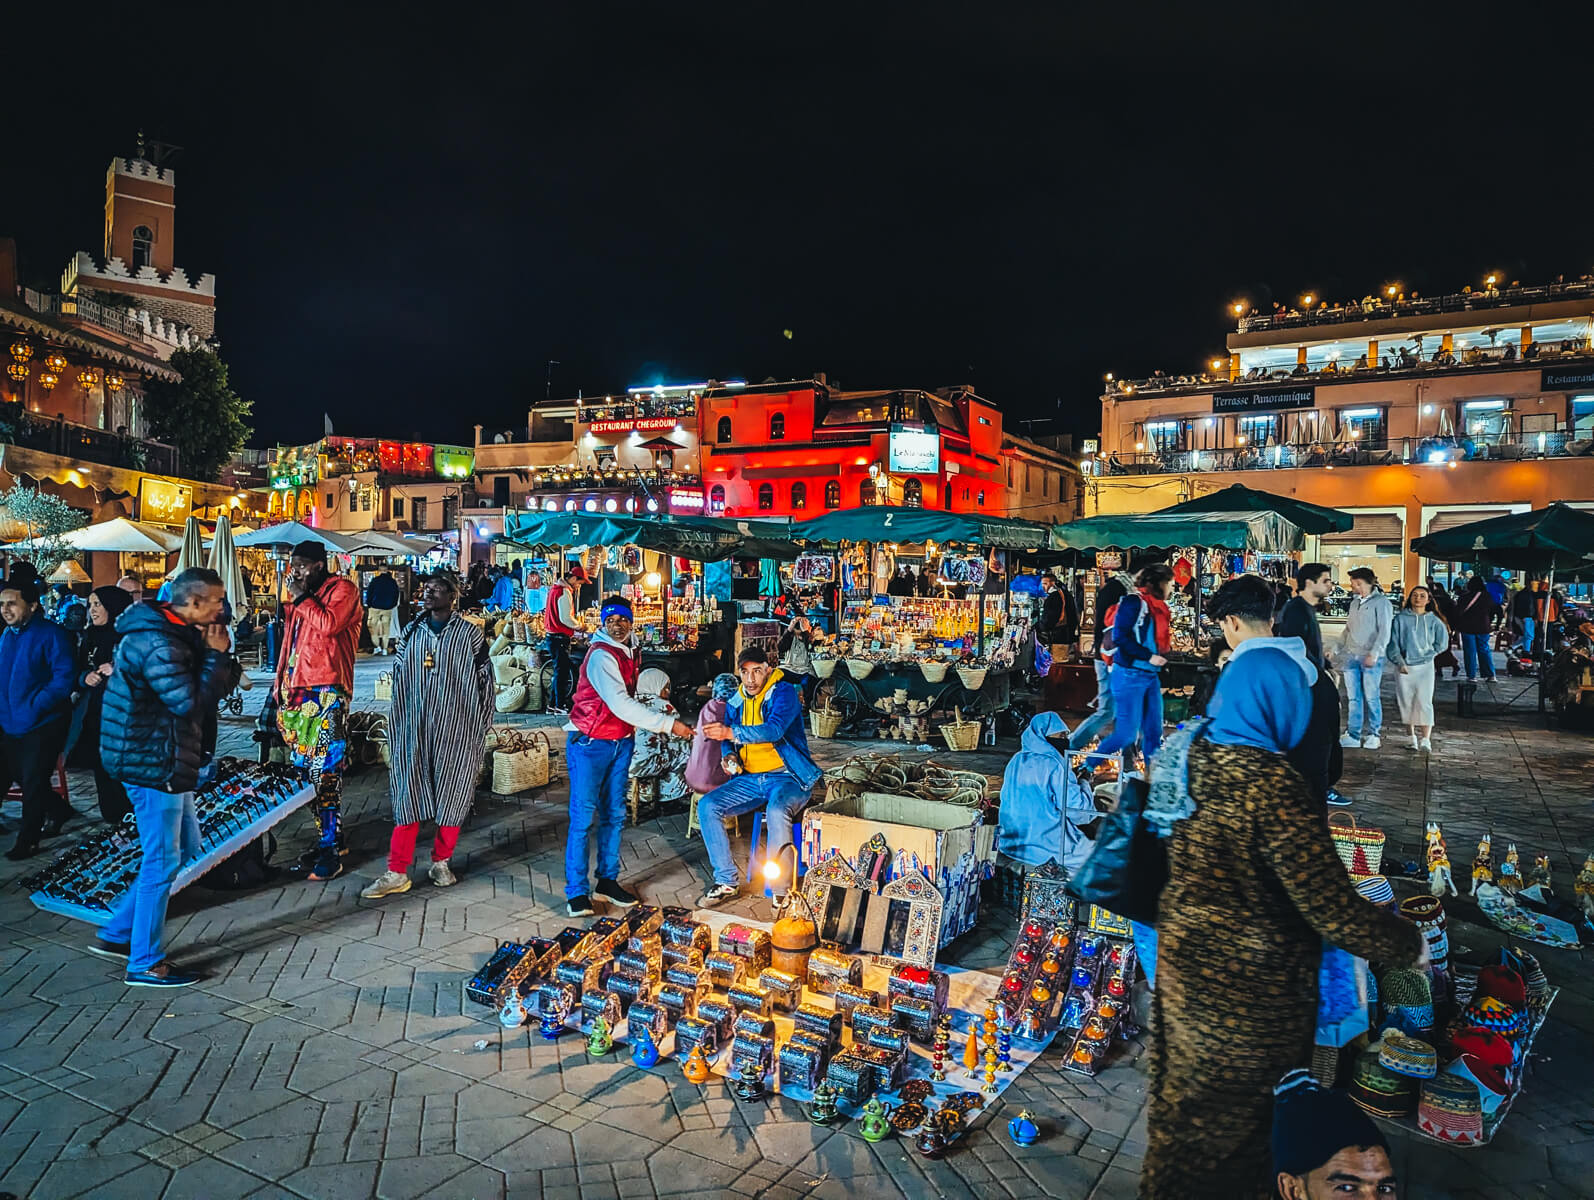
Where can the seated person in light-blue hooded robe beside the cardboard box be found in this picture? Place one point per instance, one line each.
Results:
(1043, 804)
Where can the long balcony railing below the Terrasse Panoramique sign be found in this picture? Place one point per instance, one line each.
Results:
(1437, 452)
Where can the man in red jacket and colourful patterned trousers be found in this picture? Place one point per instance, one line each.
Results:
(315, 686)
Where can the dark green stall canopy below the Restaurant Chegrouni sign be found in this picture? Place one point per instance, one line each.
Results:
(704, 539)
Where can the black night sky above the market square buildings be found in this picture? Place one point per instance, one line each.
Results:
(410, 218)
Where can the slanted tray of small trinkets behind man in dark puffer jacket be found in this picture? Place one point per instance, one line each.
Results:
(243, 802)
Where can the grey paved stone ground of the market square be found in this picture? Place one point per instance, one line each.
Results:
(331, 1053)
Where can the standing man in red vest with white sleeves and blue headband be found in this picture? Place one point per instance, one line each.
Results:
(599, 748)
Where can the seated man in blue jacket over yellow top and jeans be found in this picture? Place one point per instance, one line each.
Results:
(764, 724)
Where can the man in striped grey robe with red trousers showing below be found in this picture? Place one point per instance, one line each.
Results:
(438, 731)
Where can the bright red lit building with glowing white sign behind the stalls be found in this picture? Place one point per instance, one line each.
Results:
(803, 449)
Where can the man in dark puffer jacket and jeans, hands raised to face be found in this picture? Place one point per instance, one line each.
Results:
(171, 669)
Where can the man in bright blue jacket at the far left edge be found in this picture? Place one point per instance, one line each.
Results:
(36, 704)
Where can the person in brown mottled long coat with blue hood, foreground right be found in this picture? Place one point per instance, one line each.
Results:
(1254, 892)
